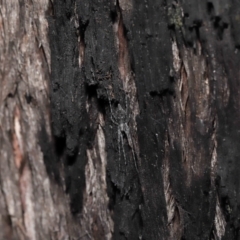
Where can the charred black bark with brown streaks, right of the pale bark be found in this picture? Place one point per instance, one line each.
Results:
(173, 68)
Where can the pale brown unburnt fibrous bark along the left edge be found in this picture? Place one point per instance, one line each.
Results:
(33, 204)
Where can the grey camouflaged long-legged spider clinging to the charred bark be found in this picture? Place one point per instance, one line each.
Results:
(121, 119)
